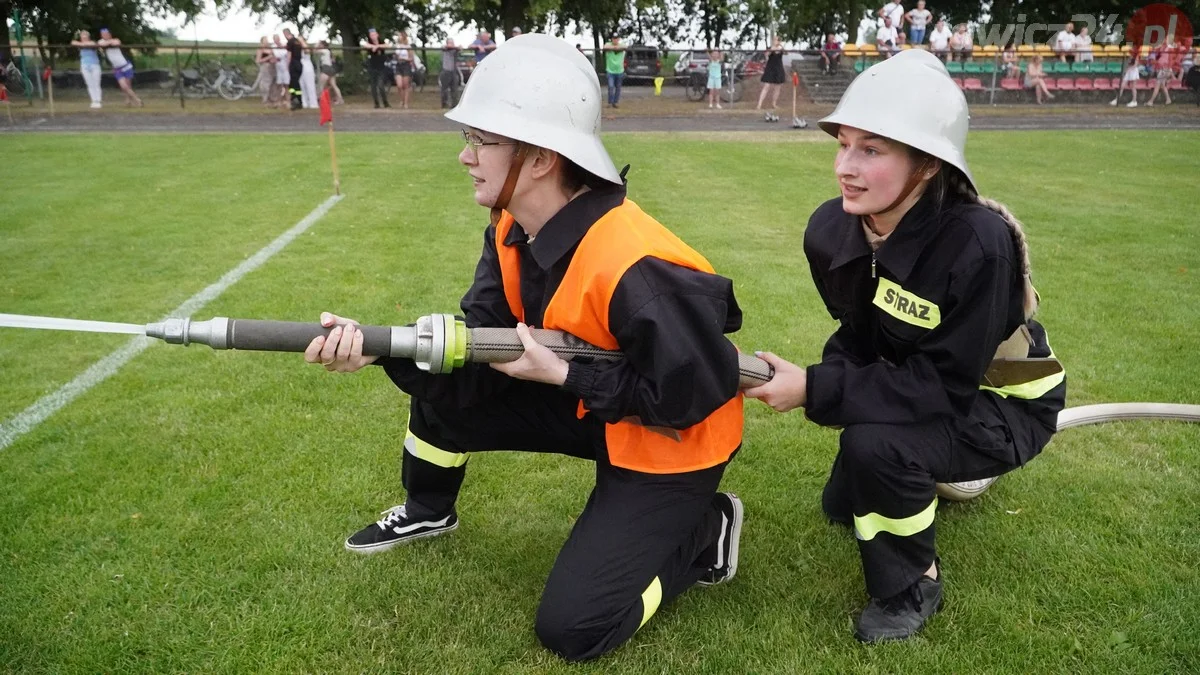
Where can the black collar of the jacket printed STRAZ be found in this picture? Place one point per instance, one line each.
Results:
(901, 252)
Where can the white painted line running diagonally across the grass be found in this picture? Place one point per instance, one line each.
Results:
(28, 420)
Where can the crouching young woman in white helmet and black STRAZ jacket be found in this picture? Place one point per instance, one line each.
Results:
(931, 284)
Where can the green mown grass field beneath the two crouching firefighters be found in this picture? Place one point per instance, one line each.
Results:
(189, 513)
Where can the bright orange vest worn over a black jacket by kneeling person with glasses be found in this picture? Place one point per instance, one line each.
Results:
(580, 307)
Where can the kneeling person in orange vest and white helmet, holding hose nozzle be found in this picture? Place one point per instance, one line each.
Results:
(567, 250)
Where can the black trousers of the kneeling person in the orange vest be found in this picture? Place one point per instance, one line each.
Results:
(641, 541)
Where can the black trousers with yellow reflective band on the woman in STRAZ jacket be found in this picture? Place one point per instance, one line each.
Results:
(884, 479)
